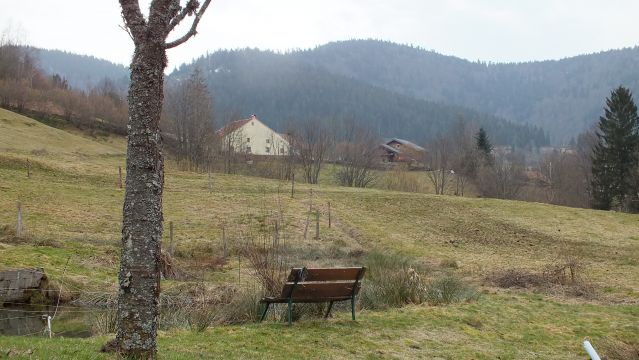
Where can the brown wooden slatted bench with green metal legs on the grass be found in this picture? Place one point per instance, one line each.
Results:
(318, 285)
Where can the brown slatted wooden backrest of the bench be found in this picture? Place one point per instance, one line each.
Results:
(323, 283)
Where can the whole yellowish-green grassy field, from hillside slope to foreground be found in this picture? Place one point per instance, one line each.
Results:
(72, 213)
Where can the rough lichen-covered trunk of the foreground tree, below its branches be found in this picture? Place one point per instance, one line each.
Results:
(139, 276)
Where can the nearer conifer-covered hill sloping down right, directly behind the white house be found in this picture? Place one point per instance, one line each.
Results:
(281, 89)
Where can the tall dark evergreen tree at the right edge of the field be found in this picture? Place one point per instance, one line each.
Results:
(614, 159)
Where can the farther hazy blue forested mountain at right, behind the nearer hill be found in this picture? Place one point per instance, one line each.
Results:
(564, 97)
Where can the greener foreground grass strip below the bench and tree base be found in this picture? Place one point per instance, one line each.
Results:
(499, 326)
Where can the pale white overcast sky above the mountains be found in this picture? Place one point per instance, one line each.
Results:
(489, 30)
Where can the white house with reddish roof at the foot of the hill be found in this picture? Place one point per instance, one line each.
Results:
(251, 136)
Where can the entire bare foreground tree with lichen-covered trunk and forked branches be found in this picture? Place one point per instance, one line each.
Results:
(139, 275)
